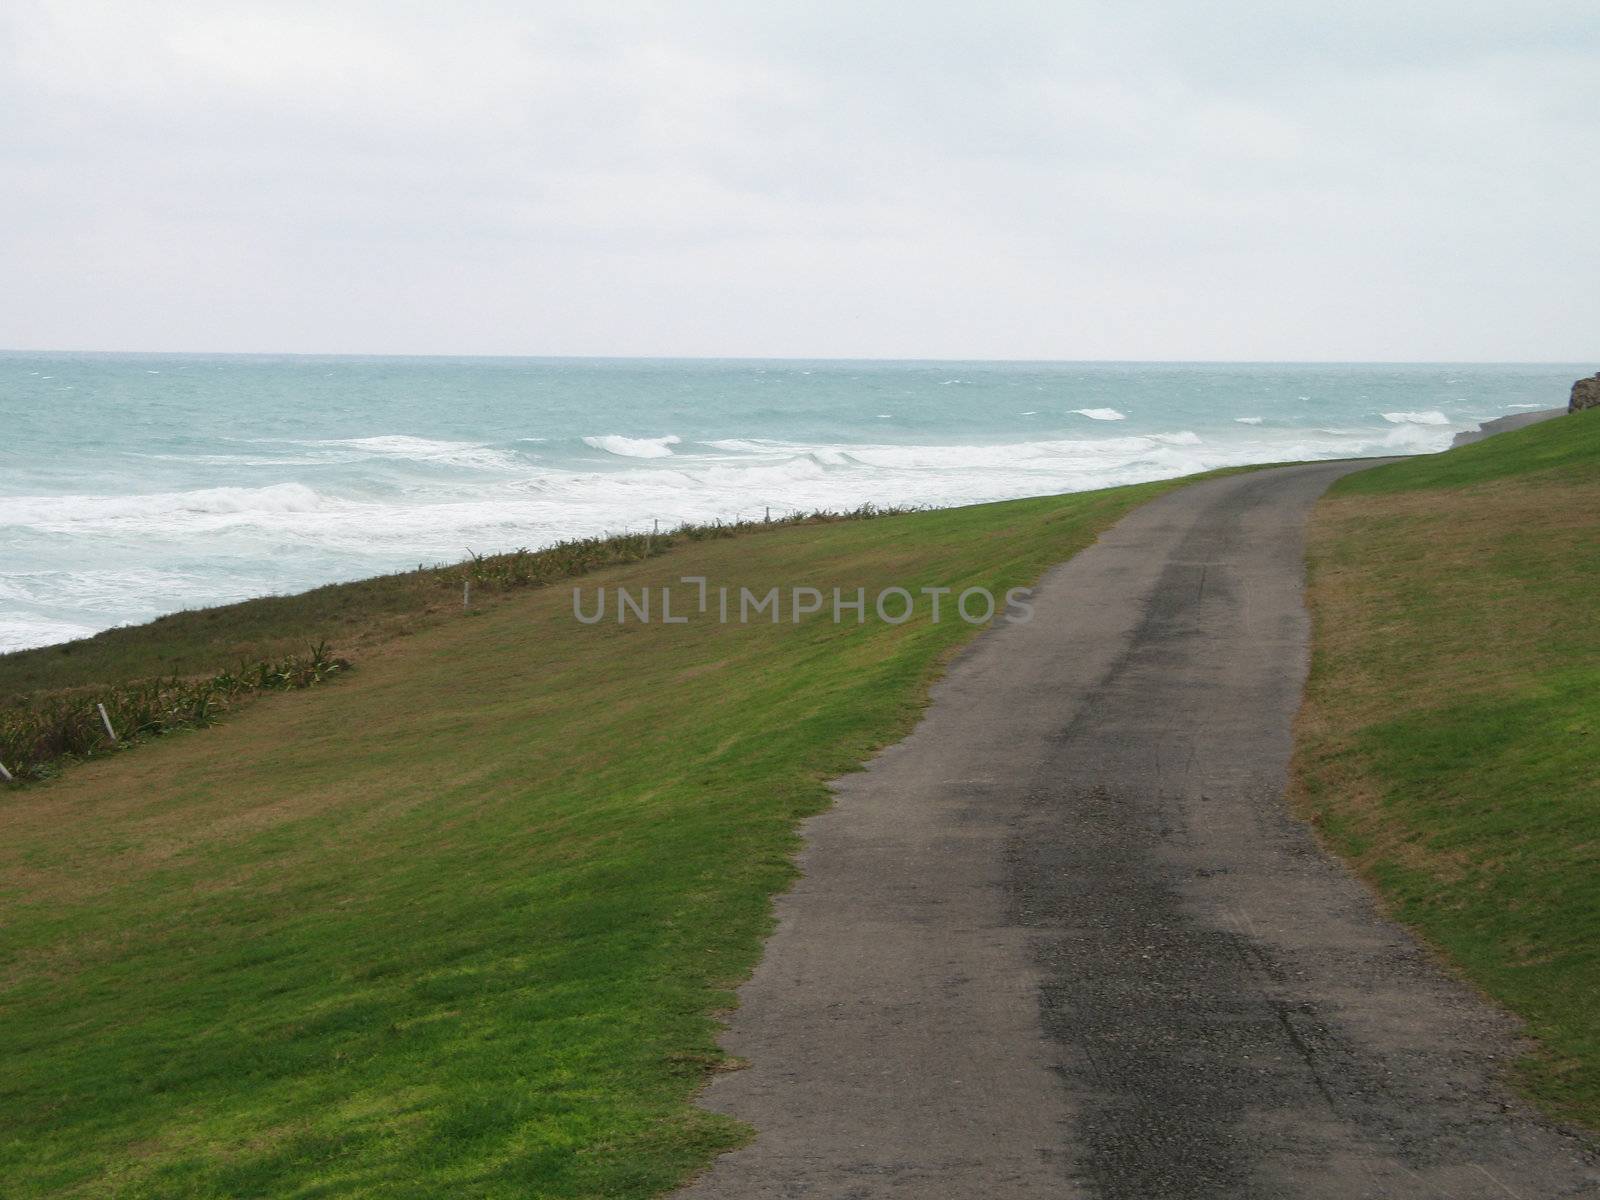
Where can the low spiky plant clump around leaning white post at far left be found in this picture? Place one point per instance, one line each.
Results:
(36, 740)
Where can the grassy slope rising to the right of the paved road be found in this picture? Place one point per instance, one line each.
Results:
(1452, 735)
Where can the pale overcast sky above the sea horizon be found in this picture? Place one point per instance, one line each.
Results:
(1130, 180)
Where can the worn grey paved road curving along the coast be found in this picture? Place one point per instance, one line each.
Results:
(1066, 942)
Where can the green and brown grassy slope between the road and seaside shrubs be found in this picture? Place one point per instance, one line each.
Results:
(457, 926)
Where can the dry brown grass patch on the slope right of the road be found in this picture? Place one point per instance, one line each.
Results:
(1372, 558)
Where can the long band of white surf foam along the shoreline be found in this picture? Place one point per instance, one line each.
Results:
(345, 537)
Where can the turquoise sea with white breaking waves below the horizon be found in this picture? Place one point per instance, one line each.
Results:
(132, 486)
